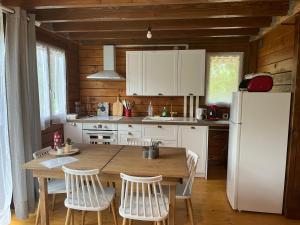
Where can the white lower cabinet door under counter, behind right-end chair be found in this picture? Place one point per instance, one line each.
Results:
(195, 138)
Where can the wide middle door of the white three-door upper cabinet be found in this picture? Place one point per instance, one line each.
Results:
(160, 73)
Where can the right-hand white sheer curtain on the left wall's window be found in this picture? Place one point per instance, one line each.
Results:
(58, 85)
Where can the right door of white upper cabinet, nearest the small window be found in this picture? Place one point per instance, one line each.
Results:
(191, 72)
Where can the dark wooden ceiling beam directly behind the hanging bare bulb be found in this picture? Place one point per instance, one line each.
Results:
(164, 34)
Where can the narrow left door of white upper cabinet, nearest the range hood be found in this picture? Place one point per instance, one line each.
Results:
(134, 73)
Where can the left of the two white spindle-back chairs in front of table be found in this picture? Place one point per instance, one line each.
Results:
(86, 193)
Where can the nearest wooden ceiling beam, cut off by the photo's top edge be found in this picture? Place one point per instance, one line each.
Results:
(51, 4)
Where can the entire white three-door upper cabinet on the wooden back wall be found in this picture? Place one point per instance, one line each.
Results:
(165, 73)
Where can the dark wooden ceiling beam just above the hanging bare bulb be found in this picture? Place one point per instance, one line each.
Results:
(190, 24)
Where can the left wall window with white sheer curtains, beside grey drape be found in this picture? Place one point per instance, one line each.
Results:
(51, 65)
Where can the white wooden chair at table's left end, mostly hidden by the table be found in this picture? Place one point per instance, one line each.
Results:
(55, 186)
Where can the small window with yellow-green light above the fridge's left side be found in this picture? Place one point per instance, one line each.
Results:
(223, 72)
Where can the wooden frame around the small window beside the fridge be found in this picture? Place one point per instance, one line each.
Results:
(207, 75)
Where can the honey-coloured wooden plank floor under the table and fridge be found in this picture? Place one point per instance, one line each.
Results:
(210, 208)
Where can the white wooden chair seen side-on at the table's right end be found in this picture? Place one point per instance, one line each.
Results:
(184, 190)
